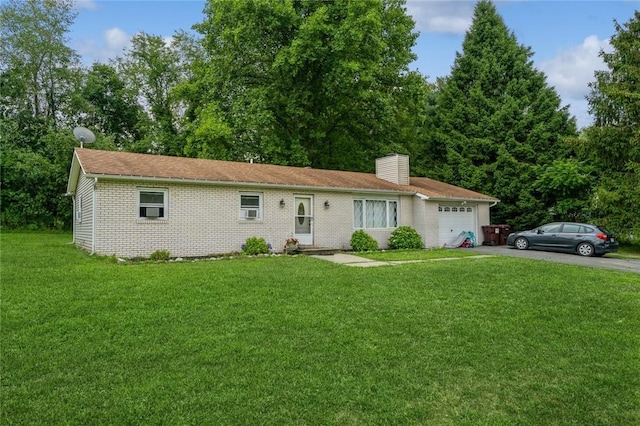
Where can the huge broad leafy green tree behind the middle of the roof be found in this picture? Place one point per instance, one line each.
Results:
(305, 82)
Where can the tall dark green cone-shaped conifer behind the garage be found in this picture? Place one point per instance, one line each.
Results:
(498, 123)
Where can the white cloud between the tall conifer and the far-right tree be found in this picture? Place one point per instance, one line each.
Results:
(571, 71)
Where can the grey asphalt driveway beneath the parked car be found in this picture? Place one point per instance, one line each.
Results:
(570, 259)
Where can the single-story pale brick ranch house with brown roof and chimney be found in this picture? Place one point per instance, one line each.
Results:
(130, 205)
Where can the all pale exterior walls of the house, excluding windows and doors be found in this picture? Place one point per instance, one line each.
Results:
(204, 220)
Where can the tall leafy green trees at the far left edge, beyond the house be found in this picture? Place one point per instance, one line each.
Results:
(38, 77)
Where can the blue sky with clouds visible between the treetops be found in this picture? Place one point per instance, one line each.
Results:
(565, 36)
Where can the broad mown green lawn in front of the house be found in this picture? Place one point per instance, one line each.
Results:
(297, 340)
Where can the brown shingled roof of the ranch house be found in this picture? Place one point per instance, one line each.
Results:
(127, 165)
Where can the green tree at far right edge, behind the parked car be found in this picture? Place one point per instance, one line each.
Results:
(613, 142)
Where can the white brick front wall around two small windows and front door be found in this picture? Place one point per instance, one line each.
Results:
(204, 220)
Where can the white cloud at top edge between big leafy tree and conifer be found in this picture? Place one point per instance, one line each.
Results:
(441, 16)
